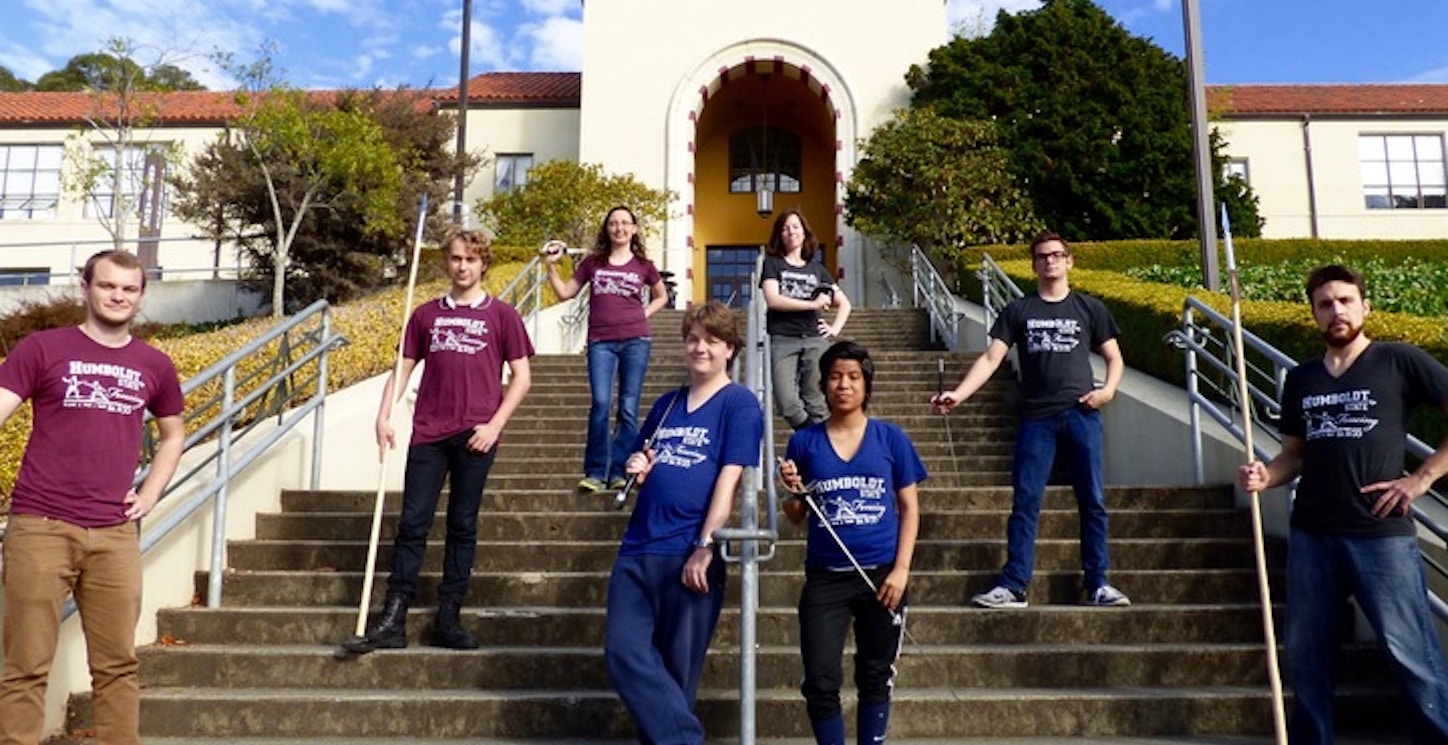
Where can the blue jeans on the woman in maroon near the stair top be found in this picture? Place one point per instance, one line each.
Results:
(628, 358)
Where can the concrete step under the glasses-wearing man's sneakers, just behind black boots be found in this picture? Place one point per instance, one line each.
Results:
(584, 627)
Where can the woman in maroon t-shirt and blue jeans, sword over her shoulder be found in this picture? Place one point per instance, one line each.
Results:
(619, 339)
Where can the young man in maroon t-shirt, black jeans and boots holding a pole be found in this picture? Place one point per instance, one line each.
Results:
(467, 338)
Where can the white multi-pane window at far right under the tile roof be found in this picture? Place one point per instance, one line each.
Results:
(1404, 171)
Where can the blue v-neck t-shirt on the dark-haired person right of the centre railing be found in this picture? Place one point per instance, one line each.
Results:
(856, 497)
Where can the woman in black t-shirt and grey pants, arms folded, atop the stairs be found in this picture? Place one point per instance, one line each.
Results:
(797, 289)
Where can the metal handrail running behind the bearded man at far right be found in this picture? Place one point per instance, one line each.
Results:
(1205, 339)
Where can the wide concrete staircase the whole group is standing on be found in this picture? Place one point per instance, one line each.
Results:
(1184, 662)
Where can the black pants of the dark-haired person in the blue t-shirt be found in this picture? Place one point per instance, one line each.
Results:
(828, 605)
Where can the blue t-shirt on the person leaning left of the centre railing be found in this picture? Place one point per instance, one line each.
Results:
(691, 449)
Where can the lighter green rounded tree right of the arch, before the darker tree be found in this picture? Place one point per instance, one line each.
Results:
(940, 183)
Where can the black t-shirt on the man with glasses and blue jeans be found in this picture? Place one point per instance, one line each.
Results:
(1055, 342)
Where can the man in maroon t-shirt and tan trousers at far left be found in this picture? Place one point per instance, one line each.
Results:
(73, 511)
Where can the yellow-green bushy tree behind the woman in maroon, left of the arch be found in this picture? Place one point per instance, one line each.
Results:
(567, 202)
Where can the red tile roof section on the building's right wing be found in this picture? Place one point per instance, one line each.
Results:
(1331, 101)
